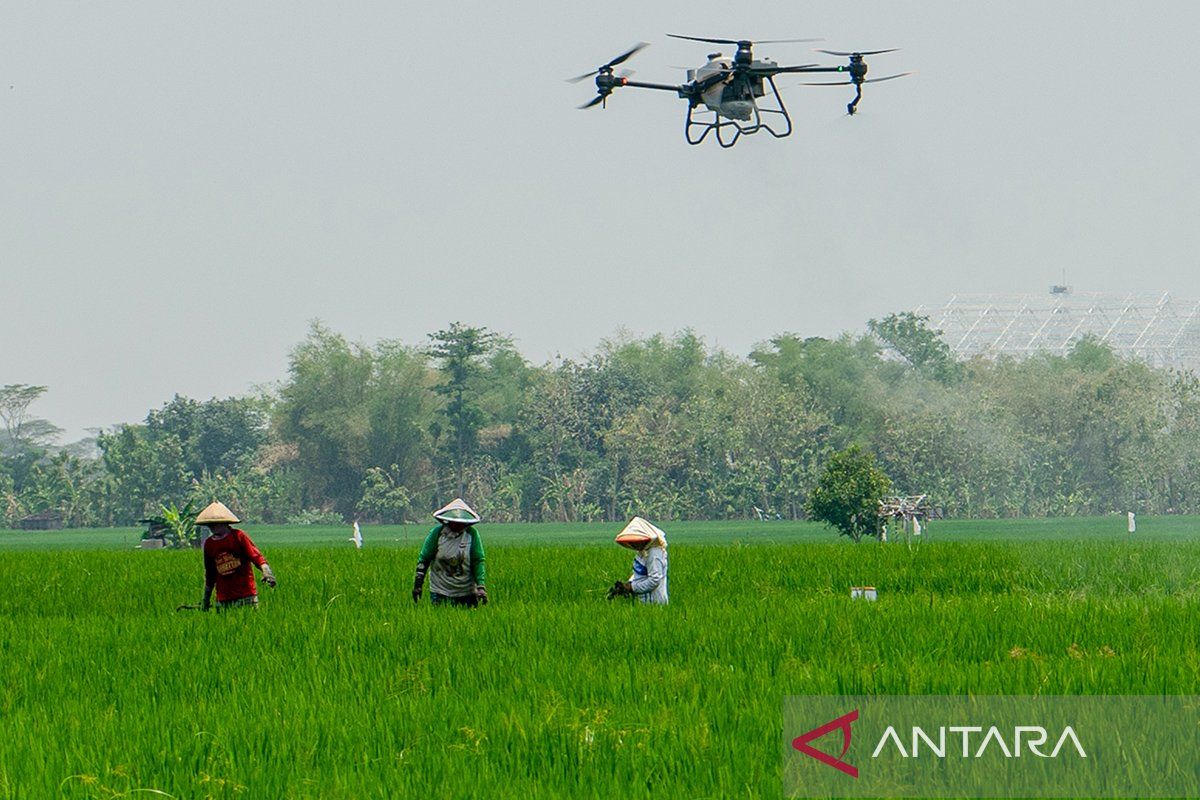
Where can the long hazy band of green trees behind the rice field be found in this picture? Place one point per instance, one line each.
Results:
(665, 426)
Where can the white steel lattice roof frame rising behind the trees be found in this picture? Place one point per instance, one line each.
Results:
(1149, 326)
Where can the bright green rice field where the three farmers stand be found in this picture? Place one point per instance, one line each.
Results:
(339, 687)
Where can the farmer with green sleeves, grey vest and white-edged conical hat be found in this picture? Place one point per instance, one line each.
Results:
(453, 556)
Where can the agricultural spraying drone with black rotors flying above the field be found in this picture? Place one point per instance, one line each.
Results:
(731, 87)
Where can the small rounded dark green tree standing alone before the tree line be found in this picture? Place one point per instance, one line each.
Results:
(848, 495)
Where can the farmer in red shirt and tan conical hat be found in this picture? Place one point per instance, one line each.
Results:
(229, 555)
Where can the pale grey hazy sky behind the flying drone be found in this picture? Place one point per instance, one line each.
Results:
(187, 185)
